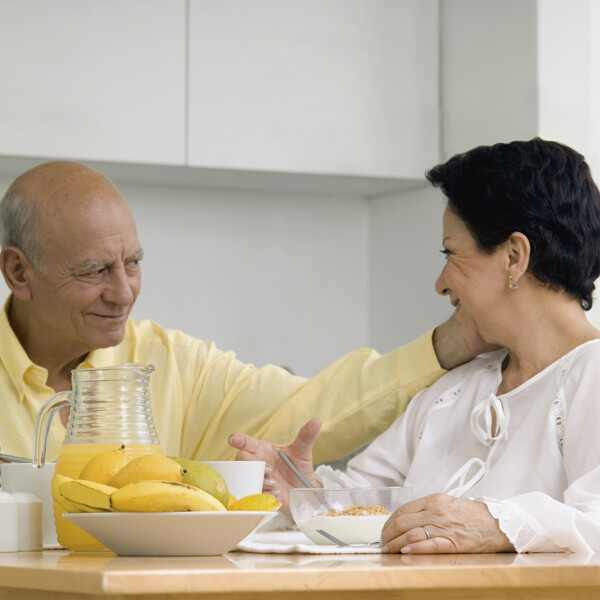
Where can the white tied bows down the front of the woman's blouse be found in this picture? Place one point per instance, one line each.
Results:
(482, 418)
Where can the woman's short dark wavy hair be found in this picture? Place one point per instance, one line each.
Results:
(539, 188)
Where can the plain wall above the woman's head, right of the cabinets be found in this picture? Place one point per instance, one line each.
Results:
(520, 68)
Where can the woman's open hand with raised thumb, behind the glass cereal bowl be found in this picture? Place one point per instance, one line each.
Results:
(278, 476)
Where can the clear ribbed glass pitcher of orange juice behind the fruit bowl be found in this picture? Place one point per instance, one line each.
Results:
(109, 407)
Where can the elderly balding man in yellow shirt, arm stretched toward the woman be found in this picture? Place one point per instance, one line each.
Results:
(71, 258)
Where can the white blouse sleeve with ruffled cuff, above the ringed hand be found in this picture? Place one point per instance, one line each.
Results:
(535, 522)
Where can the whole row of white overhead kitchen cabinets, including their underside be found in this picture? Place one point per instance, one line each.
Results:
(333, 96)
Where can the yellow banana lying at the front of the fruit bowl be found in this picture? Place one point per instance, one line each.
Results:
(162, 496)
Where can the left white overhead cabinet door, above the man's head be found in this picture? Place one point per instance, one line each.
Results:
(93, 80)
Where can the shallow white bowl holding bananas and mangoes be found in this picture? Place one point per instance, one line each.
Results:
(195, 533)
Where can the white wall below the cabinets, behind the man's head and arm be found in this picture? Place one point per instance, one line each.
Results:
(280, 279)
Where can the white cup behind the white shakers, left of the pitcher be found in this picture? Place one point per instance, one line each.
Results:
(24, 477)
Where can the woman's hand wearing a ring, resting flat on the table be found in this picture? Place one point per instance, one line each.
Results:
(453, 525)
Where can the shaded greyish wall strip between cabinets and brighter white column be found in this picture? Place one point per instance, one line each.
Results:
(488, 72)
